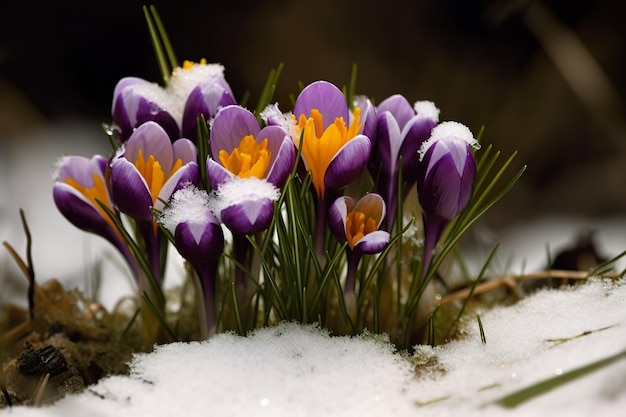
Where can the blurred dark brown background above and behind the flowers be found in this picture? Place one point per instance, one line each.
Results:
(544, 78)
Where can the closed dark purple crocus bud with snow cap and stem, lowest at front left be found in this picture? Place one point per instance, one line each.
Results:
(199, 239)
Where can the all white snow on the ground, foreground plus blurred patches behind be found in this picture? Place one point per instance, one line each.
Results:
(296, 370)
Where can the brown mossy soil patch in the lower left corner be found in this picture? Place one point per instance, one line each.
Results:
(66, 344)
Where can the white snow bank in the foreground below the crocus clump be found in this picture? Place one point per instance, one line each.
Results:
(297, 370)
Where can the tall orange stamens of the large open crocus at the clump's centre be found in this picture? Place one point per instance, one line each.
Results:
(320, 146)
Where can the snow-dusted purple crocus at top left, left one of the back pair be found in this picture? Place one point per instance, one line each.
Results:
(136, 101)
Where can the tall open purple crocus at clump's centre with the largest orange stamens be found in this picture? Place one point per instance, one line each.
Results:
(334, 150)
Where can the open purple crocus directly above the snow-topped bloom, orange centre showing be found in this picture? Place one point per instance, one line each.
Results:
(240, 148)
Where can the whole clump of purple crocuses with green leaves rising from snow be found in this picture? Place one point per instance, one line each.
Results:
(263, 205)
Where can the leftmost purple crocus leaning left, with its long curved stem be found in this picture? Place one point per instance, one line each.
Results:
(79, 185)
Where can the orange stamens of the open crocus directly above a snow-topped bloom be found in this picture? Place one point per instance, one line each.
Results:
(250, 159)
